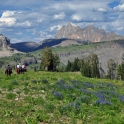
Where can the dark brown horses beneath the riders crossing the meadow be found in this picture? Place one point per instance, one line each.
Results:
(18, 71)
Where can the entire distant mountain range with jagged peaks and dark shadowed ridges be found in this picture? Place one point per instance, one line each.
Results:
(69, 34)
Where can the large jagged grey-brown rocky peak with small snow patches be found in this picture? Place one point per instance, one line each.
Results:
(89, 33)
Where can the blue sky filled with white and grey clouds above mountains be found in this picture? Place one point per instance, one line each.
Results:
(36, 20)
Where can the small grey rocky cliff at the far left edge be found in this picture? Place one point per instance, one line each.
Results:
(4, 42)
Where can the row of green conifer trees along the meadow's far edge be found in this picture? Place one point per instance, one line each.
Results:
(89, 67)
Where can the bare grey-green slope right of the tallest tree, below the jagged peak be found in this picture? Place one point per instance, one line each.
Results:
(105, 51)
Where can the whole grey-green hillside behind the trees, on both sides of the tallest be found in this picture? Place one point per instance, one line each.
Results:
(105, 51)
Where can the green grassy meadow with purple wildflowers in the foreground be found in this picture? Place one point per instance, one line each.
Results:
(60, 98)
